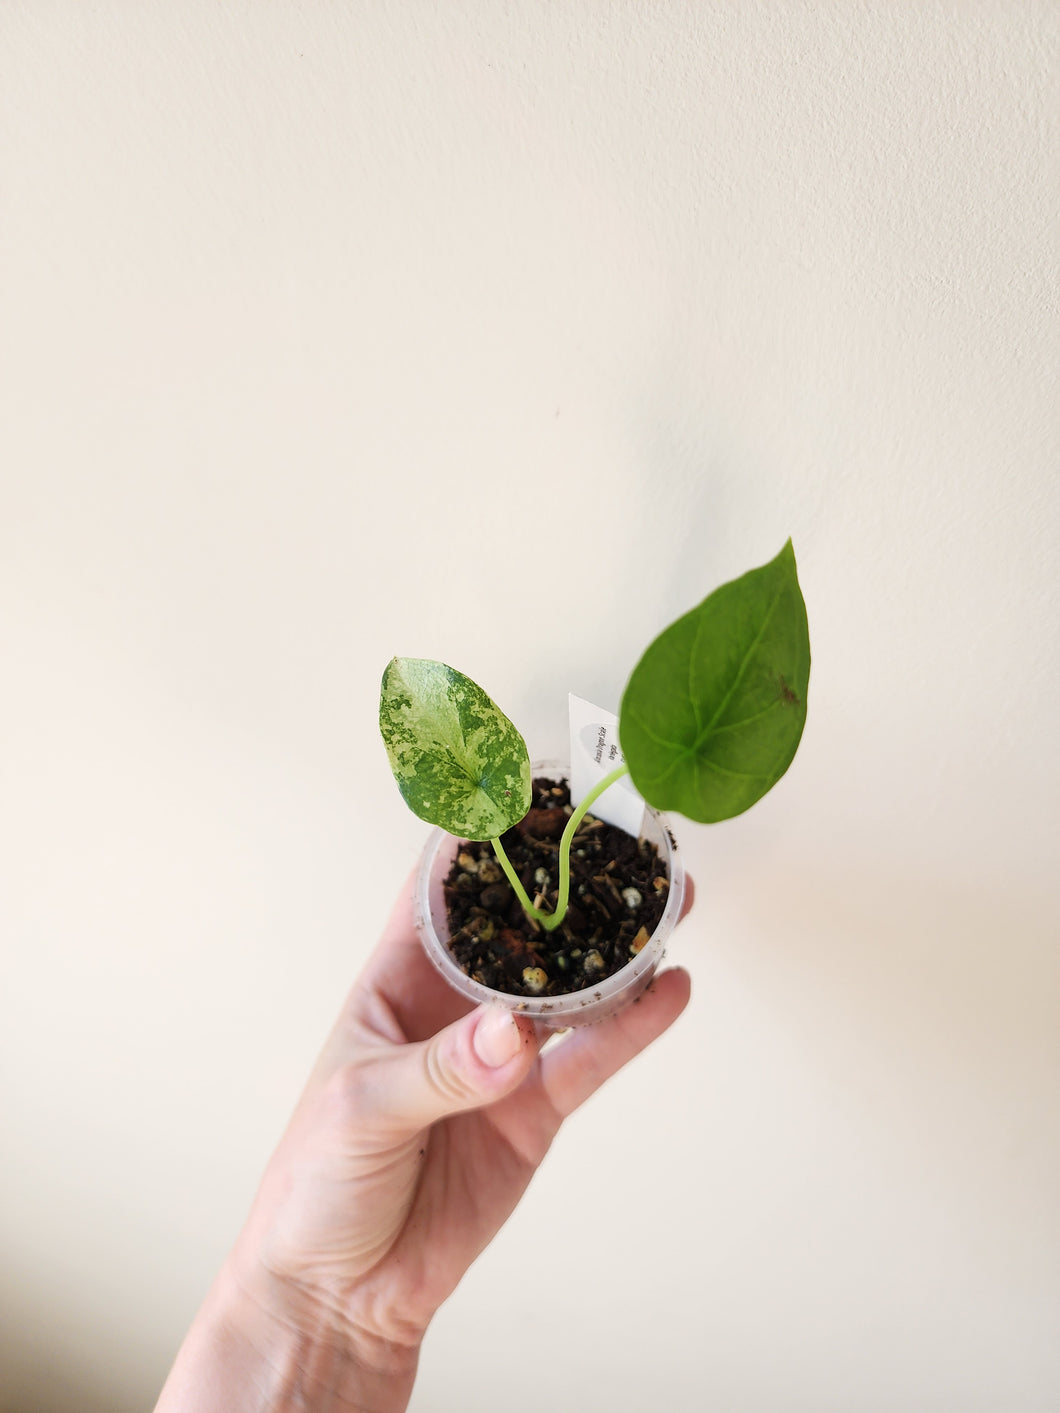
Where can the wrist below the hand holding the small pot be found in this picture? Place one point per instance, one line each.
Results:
(269, 1353)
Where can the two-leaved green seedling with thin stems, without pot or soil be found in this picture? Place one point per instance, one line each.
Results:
(710, 721)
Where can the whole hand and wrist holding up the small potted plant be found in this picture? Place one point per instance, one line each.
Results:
(416, 1137)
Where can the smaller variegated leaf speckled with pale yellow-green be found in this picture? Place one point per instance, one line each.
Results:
(459, 761)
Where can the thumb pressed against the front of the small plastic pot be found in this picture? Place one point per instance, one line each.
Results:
(474, 1062)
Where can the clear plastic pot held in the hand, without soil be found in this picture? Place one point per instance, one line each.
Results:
(577, 1008)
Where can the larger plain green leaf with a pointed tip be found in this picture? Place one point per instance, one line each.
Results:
(714, 710)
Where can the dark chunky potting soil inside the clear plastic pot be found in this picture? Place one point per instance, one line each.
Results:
(618, 892)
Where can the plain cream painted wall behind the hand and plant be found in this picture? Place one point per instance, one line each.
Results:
(504, 333)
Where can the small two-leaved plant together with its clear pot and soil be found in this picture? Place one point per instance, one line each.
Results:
(528, 899)
